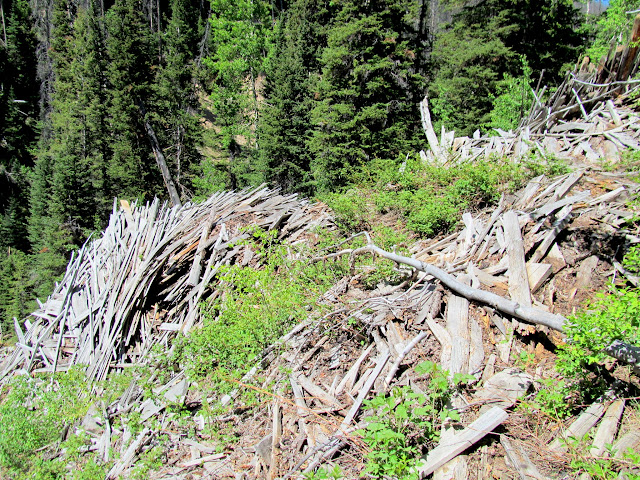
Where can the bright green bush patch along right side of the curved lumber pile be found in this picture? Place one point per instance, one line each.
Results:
(257, 307)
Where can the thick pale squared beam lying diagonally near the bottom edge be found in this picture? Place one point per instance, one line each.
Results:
(463, 440)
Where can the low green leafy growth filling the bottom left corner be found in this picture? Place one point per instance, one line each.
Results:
(33, 415)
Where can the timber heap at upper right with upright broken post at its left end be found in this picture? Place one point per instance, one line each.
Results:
(584, 118)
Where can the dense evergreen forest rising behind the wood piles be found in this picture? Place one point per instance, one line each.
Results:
(300, 94)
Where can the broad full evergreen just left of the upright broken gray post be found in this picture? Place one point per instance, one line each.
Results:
(367, 96)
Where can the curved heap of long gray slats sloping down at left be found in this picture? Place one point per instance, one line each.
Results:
(144, 279)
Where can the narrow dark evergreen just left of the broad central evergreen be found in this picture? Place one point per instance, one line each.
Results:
(285, 123)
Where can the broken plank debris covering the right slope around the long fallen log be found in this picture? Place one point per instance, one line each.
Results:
(545, 248)
